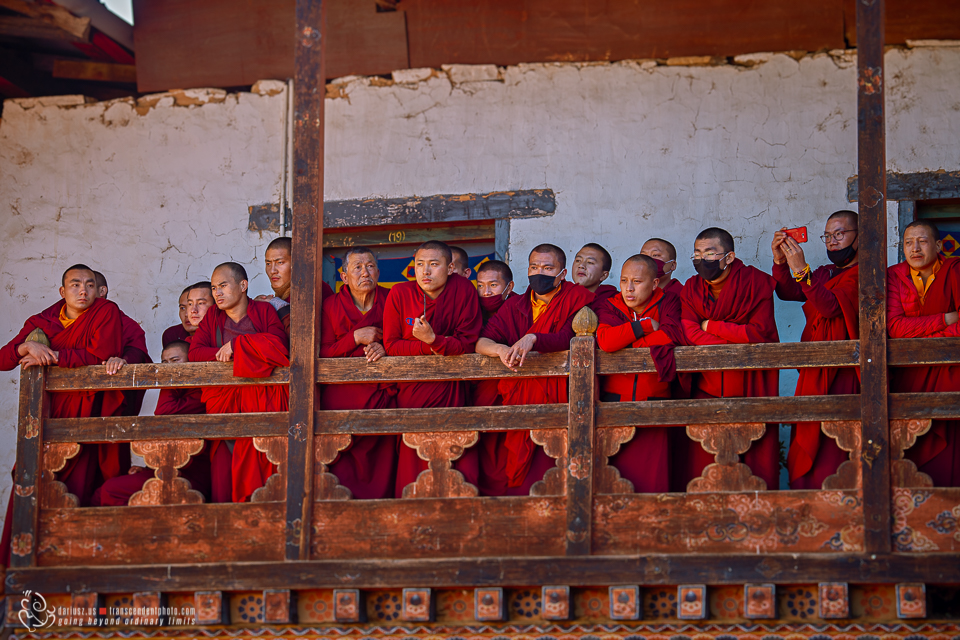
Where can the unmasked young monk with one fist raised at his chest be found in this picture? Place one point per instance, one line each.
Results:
(438, 314)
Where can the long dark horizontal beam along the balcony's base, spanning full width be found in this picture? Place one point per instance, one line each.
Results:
(713, 569)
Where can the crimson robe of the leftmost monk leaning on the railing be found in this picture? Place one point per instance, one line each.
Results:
(92, 338)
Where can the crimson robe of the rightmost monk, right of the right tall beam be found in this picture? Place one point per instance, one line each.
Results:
(937, 452)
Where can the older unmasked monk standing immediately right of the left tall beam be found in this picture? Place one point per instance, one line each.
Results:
(352, 327)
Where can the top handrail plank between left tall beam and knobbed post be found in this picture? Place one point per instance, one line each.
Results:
(466, 367)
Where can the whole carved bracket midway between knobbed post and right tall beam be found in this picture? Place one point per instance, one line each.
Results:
(726, 442)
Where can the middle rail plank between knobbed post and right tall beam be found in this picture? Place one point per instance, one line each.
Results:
(728, 410)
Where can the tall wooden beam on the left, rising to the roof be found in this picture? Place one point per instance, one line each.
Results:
(309, 91)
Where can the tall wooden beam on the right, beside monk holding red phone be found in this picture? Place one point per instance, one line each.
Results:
(872, 183)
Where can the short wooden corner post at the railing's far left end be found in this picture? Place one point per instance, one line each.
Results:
(34, 409)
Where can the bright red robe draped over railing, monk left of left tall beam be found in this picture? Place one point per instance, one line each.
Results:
(254, 356)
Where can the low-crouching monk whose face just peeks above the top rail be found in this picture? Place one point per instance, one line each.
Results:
(117, 491)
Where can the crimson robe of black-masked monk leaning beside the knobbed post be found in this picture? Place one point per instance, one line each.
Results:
(510, 462)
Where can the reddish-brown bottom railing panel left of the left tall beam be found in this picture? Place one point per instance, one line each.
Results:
(173, 534)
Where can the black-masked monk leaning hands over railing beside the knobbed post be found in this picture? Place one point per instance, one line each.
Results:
(541, 319)
